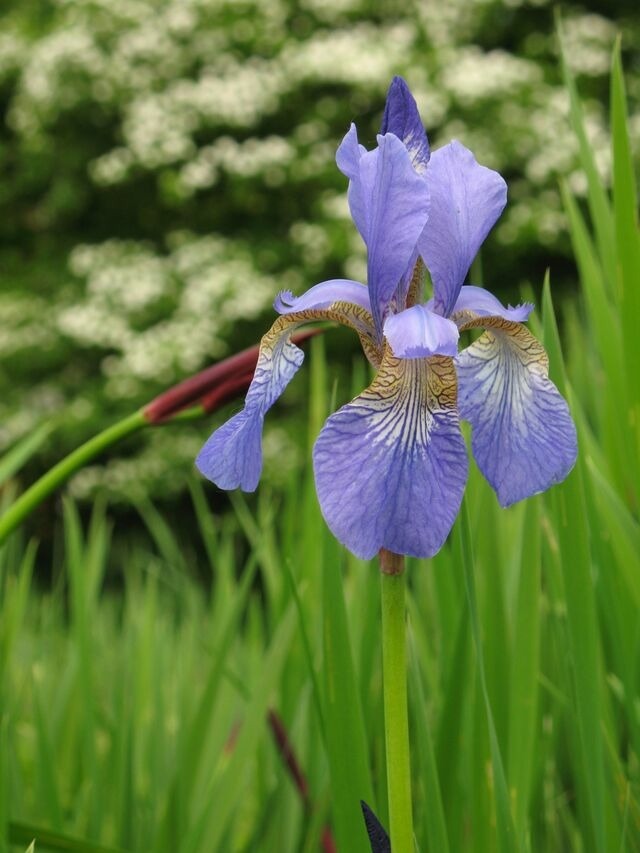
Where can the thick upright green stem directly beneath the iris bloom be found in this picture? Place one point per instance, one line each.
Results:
(396, 718)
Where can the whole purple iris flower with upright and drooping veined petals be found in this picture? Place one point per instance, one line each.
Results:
(391, 466)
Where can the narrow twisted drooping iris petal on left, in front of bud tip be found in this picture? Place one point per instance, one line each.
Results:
(232, 457)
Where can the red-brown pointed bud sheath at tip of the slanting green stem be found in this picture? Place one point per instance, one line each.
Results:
(209, 383)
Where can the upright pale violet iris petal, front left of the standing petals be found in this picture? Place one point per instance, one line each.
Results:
(389, 204)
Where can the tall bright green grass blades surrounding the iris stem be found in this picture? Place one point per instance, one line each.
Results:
(137, 718)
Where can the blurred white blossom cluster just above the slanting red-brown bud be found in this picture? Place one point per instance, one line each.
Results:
(161, 318)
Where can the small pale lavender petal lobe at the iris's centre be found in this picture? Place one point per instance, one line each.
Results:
(417, 332)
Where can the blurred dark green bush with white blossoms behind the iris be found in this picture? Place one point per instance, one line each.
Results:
(166, 168)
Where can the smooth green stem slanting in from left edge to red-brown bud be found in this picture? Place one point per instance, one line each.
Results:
(61, 472)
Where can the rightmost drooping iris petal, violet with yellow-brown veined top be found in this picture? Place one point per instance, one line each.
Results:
(524, 439)
